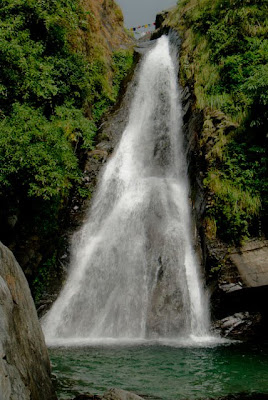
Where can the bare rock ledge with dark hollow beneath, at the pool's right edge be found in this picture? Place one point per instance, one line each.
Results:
(241, 294)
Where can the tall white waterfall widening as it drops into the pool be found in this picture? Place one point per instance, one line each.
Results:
(134, 273)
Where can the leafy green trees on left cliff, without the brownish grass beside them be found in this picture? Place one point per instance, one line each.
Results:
(43, 88)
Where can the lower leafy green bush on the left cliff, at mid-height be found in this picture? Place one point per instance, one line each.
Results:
(38, 154)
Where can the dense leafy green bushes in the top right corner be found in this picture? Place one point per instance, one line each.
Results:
(236, 33)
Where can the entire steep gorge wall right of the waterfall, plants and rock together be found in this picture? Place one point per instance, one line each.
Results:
(212, 134)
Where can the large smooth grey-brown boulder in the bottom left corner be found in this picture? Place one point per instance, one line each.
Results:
(24, 362)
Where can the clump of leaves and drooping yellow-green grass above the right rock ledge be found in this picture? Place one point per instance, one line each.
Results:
(236, 188)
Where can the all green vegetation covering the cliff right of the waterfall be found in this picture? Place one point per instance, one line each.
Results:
(224, 55)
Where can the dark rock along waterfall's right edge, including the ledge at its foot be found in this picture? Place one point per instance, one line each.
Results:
(238, 277)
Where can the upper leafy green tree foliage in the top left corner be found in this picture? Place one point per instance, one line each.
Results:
(37, 65)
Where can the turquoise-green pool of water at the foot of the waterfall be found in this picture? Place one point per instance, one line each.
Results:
(161, 371)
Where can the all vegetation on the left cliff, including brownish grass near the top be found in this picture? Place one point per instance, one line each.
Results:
(57, 79)
